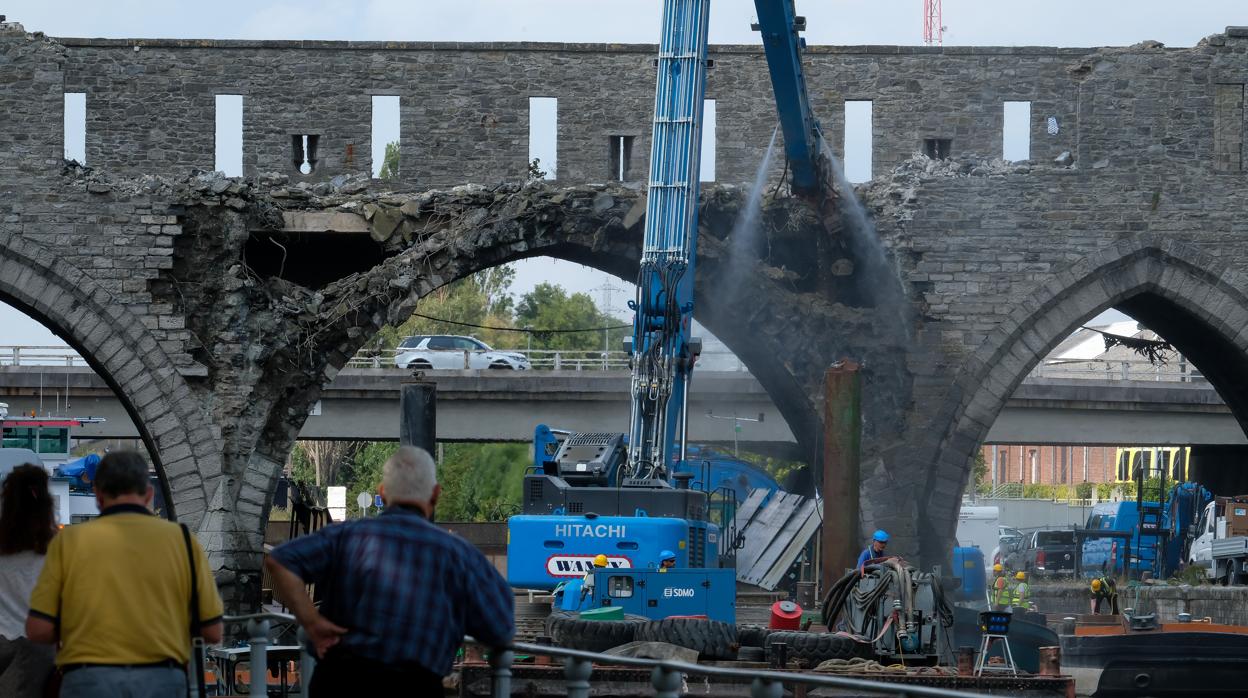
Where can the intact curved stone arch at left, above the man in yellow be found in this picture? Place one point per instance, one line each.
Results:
(122, 351)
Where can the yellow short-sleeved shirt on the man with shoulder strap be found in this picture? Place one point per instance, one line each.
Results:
(120, 590)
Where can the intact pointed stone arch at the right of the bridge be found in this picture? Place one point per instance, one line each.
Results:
(1194, 300)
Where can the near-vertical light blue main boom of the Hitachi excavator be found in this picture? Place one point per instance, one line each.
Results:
(662, 358)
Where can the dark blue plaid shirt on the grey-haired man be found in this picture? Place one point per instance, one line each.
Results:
(406, 591)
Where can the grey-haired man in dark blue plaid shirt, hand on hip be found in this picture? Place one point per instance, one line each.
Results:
(399, 591)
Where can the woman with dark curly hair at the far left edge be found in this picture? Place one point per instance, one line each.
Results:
(27, 526)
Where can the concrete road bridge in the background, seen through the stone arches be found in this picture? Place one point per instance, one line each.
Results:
(363, 404)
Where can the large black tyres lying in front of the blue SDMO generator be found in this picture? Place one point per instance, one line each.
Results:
(712, 640)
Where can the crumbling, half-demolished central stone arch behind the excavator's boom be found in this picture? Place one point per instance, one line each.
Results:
(607, 238)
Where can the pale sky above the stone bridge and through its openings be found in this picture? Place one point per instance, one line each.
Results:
(1054, 23)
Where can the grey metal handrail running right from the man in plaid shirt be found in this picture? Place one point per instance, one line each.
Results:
(667, 677)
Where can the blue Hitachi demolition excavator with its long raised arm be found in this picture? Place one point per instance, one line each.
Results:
(631, 499)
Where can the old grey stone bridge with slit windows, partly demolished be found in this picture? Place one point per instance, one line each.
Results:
(218, 309)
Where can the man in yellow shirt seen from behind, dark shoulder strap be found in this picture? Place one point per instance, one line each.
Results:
(117, 594)
